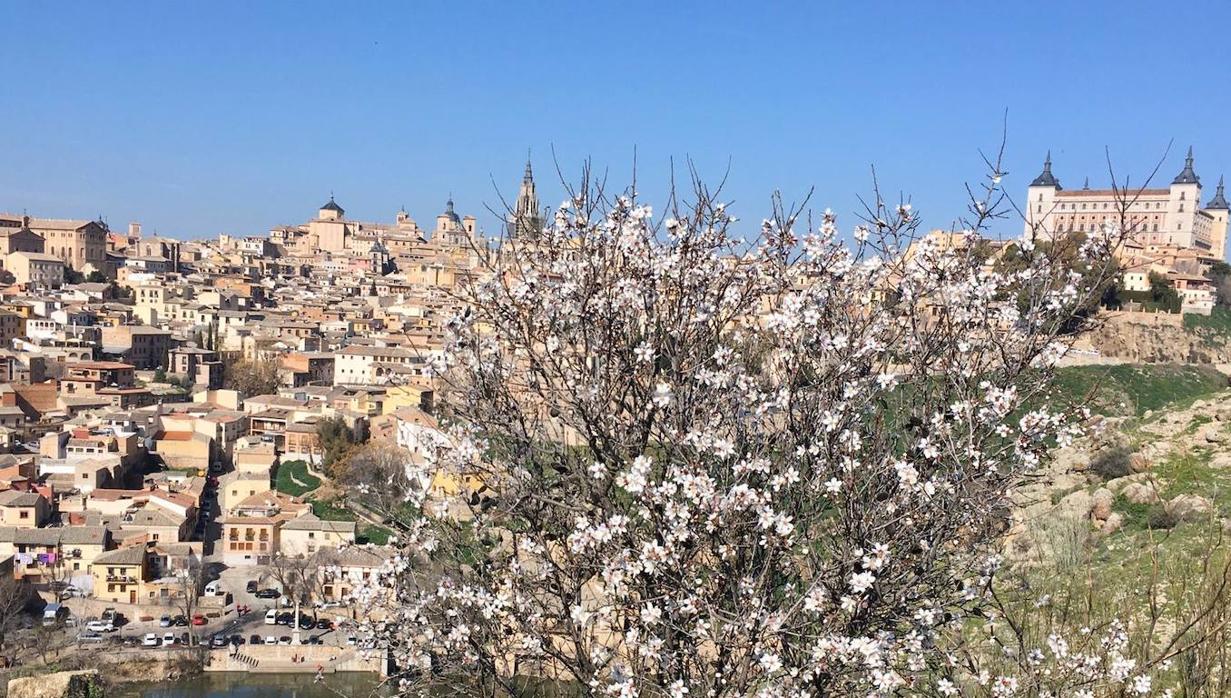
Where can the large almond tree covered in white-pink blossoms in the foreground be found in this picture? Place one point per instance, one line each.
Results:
(727, 467)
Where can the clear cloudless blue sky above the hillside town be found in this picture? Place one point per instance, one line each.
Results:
(205, 118)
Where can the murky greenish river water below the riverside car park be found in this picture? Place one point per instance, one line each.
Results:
(216, 685)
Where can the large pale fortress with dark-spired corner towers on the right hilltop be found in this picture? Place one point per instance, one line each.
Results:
(1159, 219)
